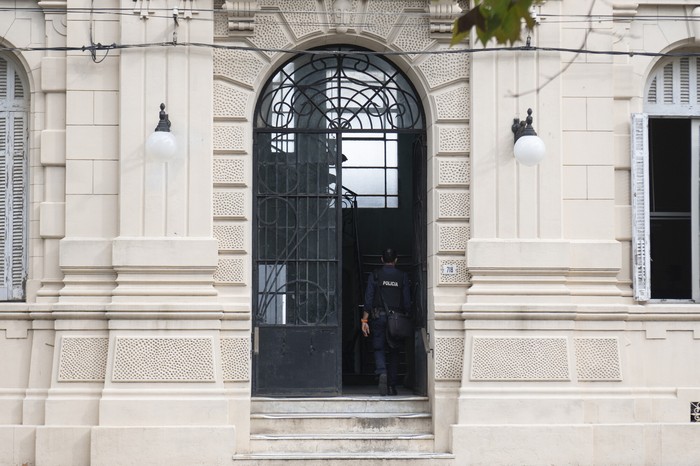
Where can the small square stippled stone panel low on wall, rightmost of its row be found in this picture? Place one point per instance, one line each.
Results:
(597, 359)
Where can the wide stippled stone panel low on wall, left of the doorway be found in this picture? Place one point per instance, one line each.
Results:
(159, 359)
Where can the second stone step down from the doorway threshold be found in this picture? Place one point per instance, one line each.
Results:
(330, 423)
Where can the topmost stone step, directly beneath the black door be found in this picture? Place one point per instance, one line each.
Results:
(342, 404)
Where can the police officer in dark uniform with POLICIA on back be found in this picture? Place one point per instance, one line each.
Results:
(387, 288)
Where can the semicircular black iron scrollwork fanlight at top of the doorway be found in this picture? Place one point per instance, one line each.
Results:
(340, 89)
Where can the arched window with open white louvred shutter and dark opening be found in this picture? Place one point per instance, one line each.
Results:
(665, 184)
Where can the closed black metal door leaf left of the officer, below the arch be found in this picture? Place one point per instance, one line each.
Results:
(297, 208)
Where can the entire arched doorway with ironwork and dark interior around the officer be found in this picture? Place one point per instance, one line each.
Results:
(339, 174)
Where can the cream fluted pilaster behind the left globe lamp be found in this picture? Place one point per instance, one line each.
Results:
(165, 251)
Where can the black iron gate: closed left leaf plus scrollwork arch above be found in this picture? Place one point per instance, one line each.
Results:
(302, 114)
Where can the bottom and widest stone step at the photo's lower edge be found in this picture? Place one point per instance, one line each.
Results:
(345, 459)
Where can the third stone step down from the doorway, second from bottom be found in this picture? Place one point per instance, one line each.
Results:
(341, 443)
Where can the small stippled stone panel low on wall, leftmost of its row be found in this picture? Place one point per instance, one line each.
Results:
(83, 359)
